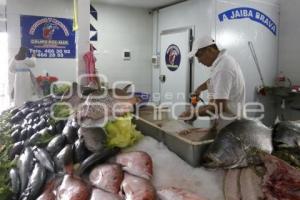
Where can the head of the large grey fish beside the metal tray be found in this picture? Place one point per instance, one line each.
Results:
(225, 152)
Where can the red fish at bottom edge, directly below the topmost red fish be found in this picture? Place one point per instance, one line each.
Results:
(136, 188)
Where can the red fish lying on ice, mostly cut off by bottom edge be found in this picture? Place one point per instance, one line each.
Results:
(177, 194)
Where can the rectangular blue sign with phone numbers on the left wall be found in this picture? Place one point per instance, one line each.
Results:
(48, 37)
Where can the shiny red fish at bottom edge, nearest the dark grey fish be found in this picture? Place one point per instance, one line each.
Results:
(73, 188)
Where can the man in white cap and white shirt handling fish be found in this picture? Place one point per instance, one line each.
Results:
(226, 85)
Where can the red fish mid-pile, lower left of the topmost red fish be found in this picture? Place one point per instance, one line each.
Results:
(107, 177)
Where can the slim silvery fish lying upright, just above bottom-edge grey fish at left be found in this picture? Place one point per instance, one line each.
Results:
(25, 165)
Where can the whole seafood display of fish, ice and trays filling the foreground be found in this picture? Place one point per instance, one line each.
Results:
(44, 156)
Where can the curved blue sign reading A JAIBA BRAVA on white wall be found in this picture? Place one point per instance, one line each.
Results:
(250, 13)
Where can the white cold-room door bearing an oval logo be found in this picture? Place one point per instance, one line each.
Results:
(175, 67)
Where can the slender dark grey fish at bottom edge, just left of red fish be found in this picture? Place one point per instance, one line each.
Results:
(35, 184)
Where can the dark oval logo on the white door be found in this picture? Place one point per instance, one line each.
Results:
(173, 57)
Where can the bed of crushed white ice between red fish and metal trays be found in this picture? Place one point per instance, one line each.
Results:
(171, 171)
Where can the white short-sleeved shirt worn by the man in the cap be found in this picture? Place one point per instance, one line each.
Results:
(227, 82)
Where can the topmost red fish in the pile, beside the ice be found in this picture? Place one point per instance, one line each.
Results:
(136, 163)
